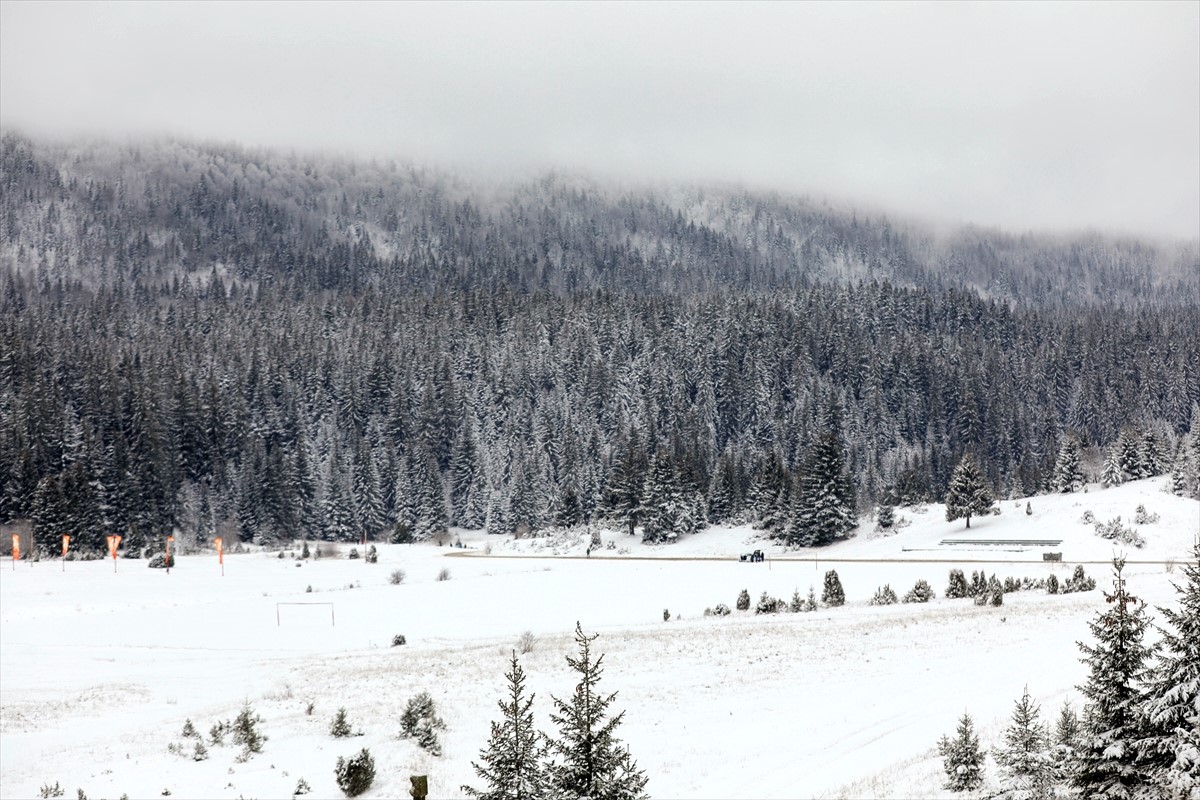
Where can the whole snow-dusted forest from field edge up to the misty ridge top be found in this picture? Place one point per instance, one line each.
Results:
(272, 346)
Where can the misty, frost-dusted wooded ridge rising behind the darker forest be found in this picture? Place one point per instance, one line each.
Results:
(99, 214)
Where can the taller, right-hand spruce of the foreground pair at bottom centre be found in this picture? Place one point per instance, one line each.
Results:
(587, 760)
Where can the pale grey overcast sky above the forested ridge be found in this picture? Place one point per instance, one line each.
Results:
(1021, 116)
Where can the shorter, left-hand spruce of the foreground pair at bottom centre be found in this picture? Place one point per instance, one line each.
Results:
(513, 761)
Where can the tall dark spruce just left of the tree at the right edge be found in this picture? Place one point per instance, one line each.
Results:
(1106, 765)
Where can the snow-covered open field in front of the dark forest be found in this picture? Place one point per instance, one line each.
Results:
(101, 670)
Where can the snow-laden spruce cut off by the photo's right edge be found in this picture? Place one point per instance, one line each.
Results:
(1171, 751)
